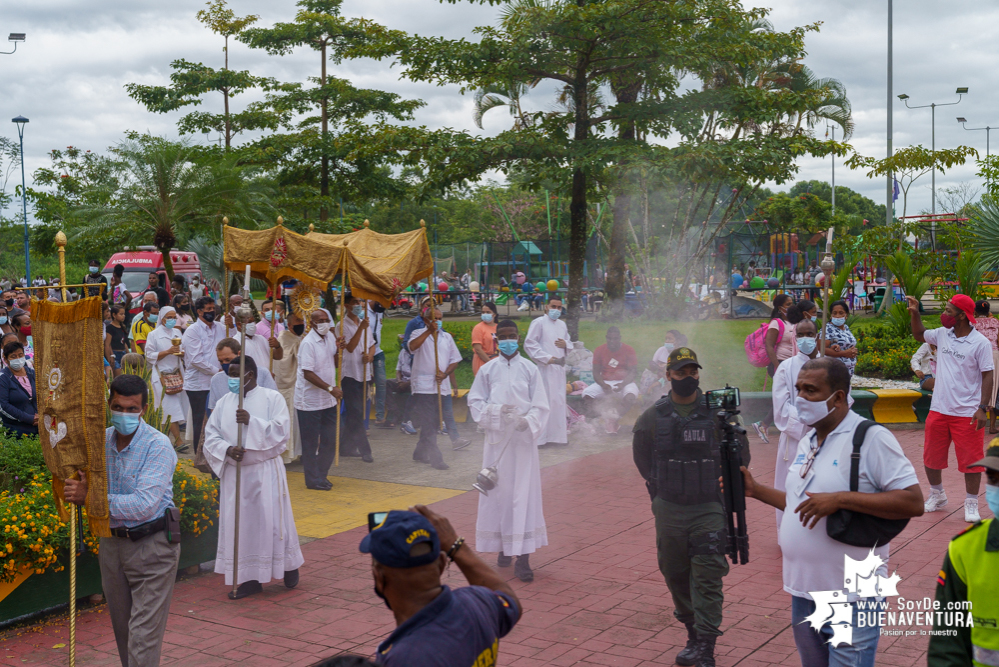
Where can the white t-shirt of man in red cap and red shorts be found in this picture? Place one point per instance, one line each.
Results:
(960, 364)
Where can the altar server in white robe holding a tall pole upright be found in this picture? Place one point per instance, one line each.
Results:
(268, 541)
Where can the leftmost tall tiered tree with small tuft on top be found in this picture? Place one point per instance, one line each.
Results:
(190, 82)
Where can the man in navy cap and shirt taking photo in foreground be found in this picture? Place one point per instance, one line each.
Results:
(435, 625)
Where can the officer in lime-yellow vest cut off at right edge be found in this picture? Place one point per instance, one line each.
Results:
(968, 575)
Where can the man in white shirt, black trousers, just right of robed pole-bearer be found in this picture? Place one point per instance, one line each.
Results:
(316, 400)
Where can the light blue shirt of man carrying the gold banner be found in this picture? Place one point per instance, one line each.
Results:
(140, 477)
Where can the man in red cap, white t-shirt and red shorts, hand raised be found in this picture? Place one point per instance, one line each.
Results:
(961, 397)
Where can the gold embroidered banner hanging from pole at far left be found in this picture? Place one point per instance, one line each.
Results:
(72, 395)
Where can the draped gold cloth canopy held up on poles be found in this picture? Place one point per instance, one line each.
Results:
(376, 266)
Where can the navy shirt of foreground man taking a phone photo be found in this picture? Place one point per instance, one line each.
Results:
(460, 627)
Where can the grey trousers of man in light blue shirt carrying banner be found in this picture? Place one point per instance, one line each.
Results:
(138, 580)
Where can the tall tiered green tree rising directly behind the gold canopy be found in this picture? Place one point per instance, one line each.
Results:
(341, 154)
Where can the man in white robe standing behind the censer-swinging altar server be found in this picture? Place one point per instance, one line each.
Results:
(547, 342)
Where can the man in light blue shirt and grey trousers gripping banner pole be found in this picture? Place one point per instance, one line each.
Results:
(139, 561)
